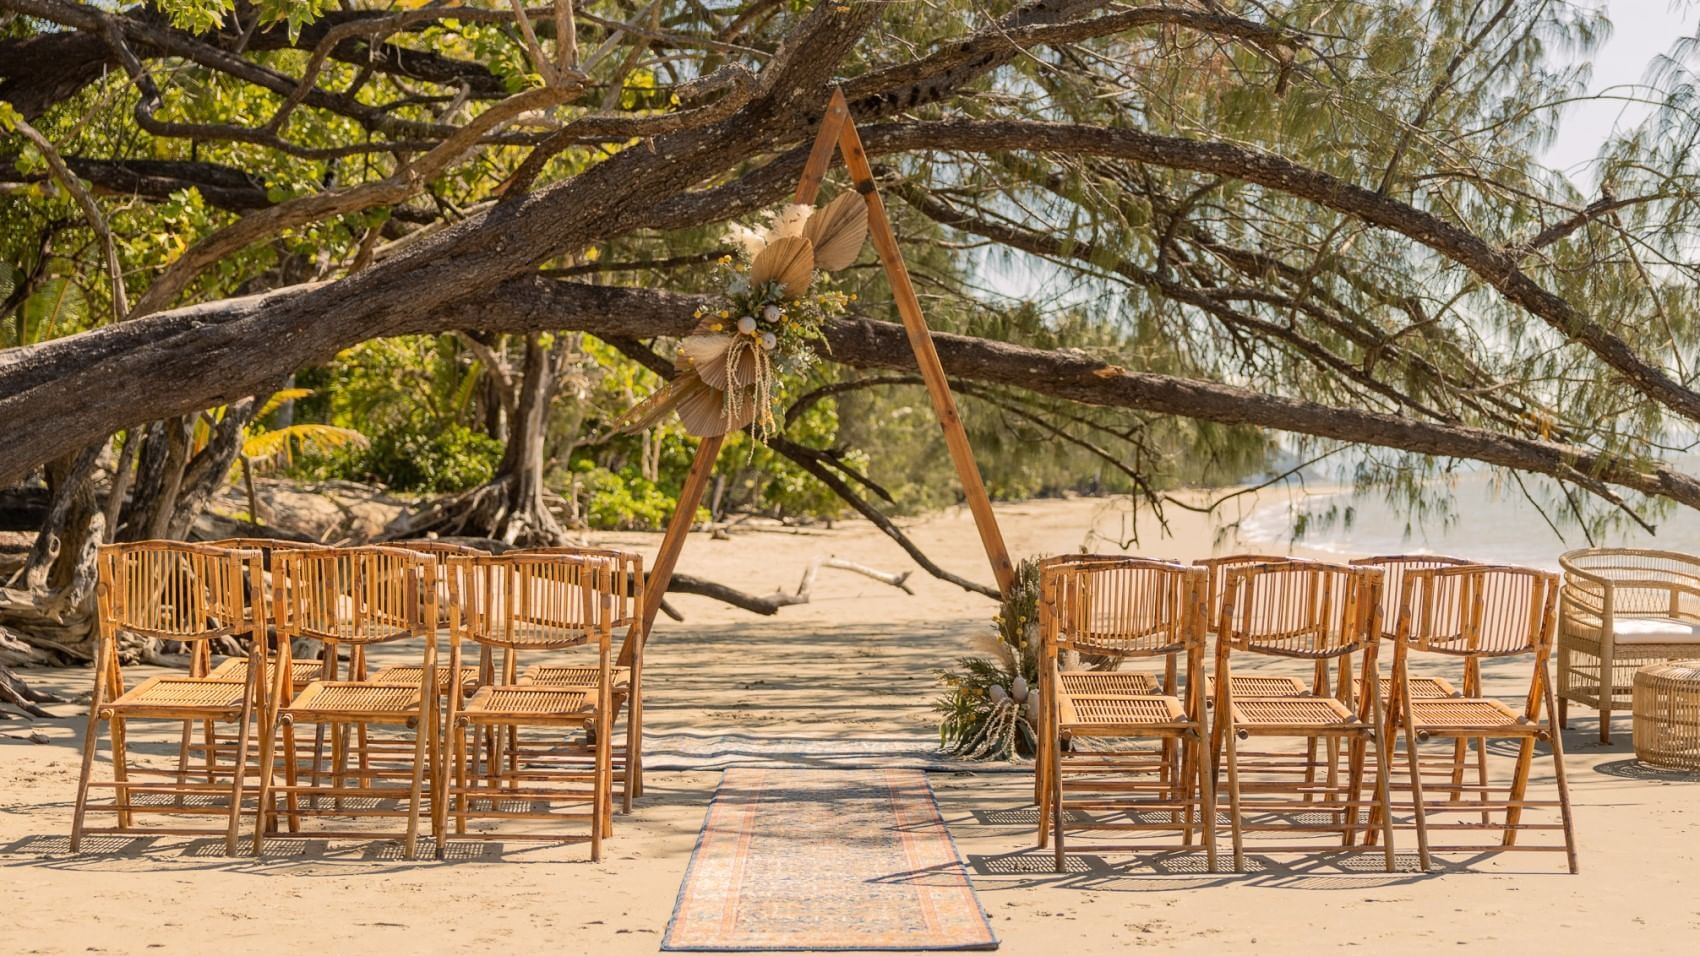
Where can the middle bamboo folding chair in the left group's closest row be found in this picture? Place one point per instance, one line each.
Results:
(356, 598)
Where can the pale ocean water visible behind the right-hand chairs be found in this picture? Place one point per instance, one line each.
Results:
(1485, 518)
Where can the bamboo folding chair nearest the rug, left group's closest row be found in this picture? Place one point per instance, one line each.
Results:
(531, 603)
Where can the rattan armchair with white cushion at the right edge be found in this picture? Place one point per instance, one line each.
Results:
(1623, 608)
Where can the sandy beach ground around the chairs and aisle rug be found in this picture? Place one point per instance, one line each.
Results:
(854, 663)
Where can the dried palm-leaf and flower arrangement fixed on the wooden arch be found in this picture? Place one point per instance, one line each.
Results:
(766, 324)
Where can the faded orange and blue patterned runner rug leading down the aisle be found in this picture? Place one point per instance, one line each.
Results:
(825, 860)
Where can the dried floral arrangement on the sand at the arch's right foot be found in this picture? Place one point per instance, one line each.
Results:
(990, 710)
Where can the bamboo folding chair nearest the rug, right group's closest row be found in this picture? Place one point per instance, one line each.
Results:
(1128, 608)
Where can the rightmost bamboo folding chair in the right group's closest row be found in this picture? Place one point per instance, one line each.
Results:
(1478, 613)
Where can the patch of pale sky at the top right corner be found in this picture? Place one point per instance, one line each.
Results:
(1641, 30)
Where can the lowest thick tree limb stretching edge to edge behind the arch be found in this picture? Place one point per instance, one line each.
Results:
(179, 350)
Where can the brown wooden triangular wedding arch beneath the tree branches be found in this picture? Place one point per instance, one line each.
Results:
(839, 135)
